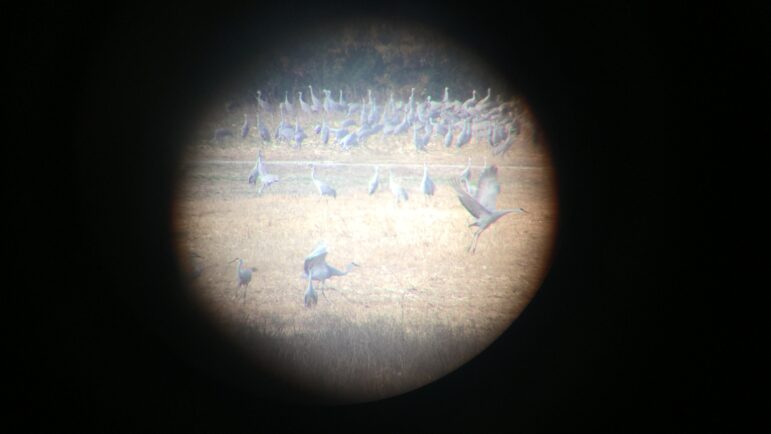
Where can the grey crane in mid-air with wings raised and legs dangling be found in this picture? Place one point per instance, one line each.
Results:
(482, 204)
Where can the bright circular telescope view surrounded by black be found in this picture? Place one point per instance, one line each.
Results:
(370, 210)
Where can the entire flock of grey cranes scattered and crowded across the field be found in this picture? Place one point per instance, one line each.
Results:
(426, 119)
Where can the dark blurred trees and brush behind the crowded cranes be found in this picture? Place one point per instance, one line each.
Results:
(382, 56)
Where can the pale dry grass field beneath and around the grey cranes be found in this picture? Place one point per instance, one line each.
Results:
(419, 304)
